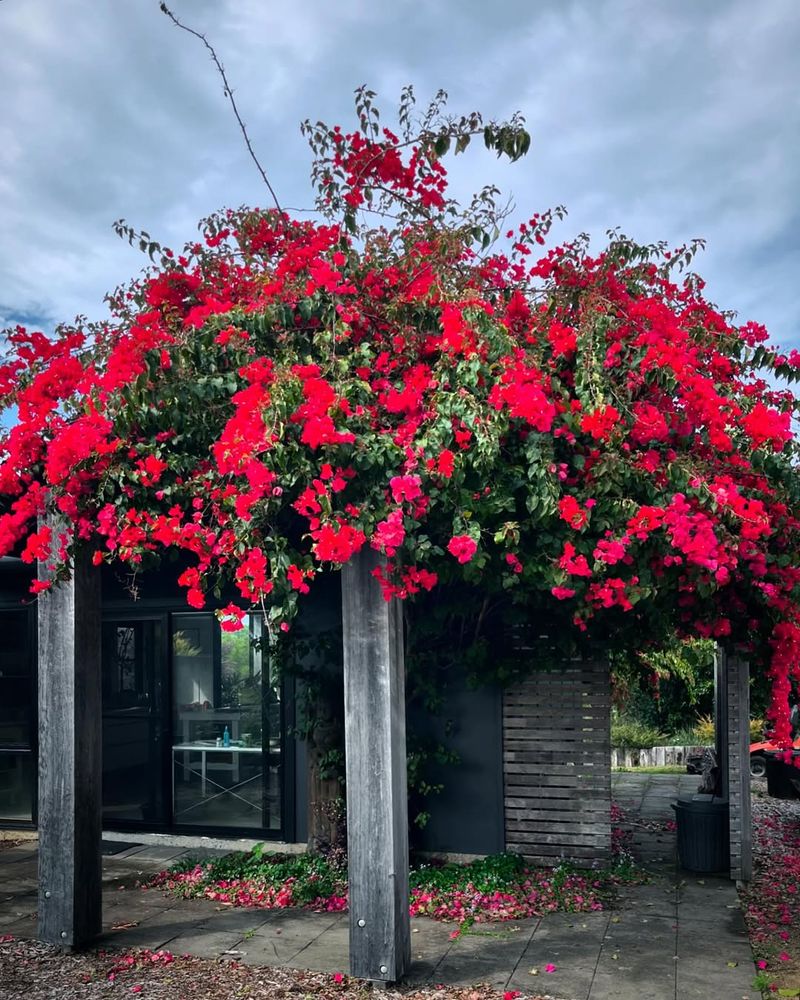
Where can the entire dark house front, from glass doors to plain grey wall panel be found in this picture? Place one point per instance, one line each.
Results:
(200, 732)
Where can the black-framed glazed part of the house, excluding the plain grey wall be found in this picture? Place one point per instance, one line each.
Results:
(196, 728)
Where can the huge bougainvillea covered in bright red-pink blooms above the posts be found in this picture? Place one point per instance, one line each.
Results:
(581, 430)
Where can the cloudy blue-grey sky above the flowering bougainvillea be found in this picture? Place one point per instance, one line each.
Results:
(670, 120)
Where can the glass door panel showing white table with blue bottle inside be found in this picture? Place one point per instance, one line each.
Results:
(225, 769)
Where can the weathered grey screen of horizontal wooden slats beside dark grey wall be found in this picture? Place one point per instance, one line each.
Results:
(557, 764)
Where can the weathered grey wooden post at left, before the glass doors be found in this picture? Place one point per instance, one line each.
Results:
(70, 868)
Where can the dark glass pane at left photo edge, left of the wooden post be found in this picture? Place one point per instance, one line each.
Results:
(17, 717)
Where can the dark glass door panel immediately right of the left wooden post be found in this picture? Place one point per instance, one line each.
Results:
(135, 723)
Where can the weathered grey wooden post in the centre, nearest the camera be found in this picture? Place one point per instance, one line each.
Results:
(377, 798)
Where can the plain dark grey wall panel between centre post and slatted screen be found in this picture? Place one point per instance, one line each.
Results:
(467, 817)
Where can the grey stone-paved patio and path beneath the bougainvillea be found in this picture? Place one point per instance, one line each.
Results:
(681, 936)
